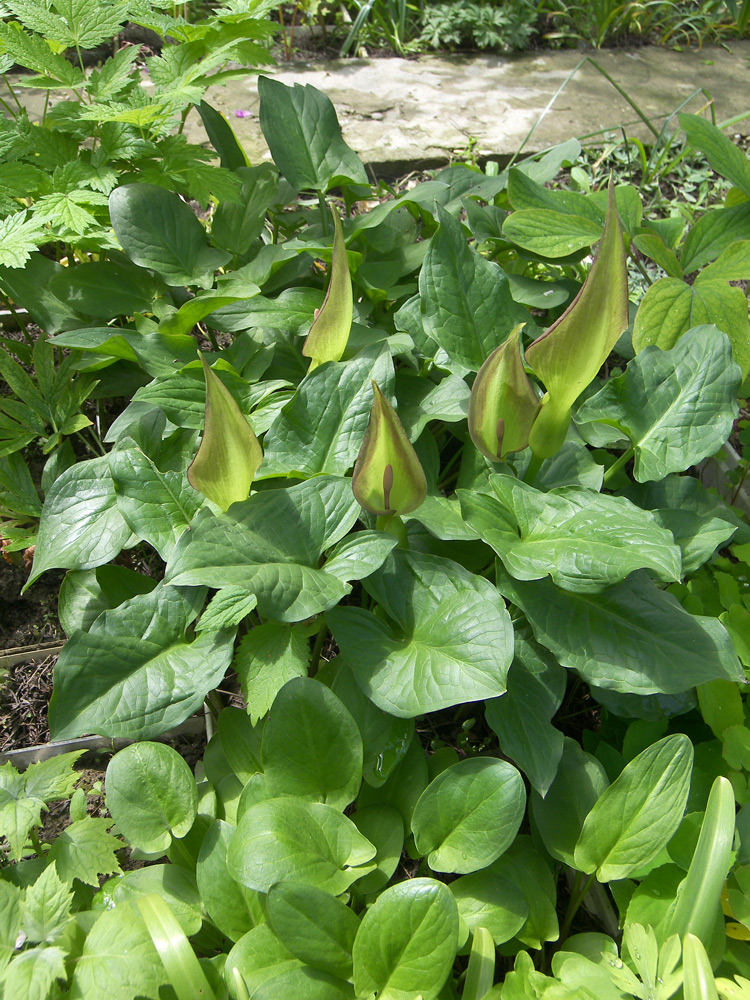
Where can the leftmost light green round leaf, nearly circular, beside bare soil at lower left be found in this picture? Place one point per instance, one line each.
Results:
(151, 795)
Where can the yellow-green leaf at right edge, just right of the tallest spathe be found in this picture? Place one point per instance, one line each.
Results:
(671, 307)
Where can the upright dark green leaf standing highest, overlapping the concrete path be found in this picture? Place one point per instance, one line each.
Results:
(304, 136)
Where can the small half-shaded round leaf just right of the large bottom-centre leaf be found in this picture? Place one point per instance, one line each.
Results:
(487, 900)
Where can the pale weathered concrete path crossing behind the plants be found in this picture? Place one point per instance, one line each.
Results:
(401, 114)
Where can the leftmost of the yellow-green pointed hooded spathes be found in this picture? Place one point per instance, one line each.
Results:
(229, 455)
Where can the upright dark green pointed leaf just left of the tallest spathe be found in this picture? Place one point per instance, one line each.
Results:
(467, 308)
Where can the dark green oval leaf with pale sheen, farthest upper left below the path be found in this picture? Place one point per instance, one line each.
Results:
(158, 230)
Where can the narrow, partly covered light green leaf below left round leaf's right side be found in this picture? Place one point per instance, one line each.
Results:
(231, 906)
